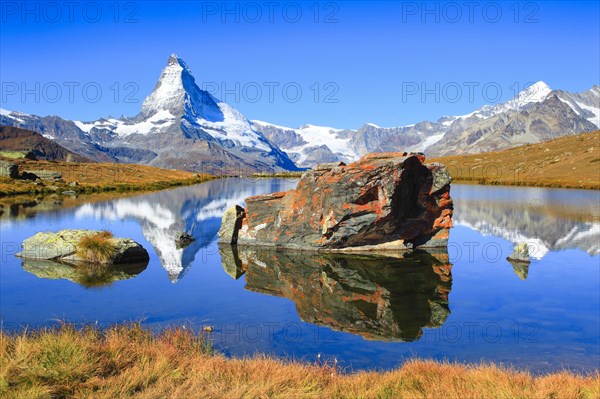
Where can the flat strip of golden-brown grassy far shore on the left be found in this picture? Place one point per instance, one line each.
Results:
(96, 177)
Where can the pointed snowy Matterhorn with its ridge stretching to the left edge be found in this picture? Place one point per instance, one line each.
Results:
(180, 126)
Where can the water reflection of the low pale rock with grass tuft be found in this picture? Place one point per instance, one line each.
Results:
(88, 276)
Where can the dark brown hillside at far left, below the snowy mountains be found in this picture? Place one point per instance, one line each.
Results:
(16, 139)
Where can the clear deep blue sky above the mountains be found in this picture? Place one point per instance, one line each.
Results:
(369, 60)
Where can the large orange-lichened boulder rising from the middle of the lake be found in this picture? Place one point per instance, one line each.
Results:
(383, 201)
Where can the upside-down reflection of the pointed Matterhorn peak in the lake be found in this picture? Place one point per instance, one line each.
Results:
(196, 210)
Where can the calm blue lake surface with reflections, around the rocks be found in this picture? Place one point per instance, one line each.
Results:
(466, 304)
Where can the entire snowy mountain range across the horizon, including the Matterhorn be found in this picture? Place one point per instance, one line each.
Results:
(181, 126)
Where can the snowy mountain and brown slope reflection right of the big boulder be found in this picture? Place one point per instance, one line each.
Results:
(549, 220)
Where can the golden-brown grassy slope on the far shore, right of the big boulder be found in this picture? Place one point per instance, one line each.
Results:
(570, 162)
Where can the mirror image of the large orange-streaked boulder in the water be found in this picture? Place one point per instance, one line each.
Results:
(377, 297)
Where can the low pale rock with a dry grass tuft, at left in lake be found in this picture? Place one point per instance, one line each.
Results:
(67, 246)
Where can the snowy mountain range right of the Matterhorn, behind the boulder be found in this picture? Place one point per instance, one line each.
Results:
(536, 114)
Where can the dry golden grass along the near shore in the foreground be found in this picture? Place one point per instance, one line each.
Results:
(128, 362)
